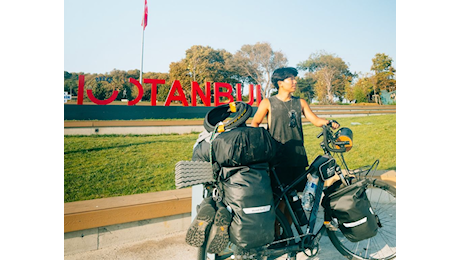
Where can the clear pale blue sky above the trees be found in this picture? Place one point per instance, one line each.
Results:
(102, 35)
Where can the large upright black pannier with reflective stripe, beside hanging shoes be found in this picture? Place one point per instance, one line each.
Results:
(247, 191)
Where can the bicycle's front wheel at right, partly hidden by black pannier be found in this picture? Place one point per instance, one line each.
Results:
(383, 245)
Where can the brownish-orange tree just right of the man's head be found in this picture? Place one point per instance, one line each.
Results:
(331, 74)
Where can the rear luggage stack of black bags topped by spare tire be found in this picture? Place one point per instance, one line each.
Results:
(240, 157)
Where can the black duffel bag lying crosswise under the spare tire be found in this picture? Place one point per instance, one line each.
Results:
(239, 146)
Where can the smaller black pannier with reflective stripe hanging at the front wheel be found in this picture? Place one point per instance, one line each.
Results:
(353, 211)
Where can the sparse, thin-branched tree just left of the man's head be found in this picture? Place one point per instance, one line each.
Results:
(258, 62)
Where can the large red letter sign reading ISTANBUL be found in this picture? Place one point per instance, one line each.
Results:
(176, 93)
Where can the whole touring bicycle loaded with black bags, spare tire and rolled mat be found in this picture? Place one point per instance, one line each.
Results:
(359, 211)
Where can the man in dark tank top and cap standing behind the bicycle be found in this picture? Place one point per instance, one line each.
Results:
(284, 124)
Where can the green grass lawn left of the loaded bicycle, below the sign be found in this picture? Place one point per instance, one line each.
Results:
(108, 166)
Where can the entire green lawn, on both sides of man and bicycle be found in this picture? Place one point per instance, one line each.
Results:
(115, 165)
